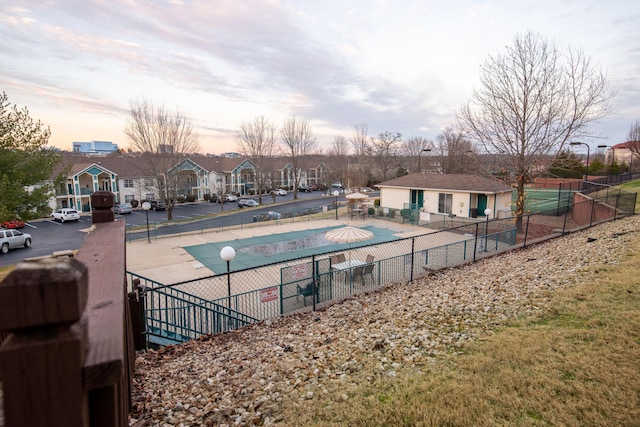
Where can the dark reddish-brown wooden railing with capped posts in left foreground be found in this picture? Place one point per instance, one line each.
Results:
(68, 358)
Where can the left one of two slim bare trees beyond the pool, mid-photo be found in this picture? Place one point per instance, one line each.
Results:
(257, 141)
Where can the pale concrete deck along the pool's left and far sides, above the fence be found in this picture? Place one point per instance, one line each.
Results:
(167, 261)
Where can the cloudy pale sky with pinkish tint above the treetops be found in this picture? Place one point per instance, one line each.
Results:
(395, 65)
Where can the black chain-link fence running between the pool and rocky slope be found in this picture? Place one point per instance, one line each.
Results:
(186, 310)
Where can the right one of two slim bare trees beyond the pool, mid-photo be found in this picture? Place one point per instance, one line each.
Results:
(298, 140)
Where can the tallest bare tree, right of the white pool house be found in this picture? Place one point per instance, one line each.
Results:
(532, 100)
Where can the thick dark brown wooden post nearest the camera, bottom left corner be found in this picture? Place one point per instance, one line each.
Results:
(41, 362)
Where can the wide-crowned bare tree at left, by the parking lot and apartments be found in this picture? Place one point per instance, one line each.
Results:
(164, 139)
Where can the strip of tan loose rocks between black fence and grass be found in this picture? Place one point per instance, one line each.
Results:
(241, 378)
